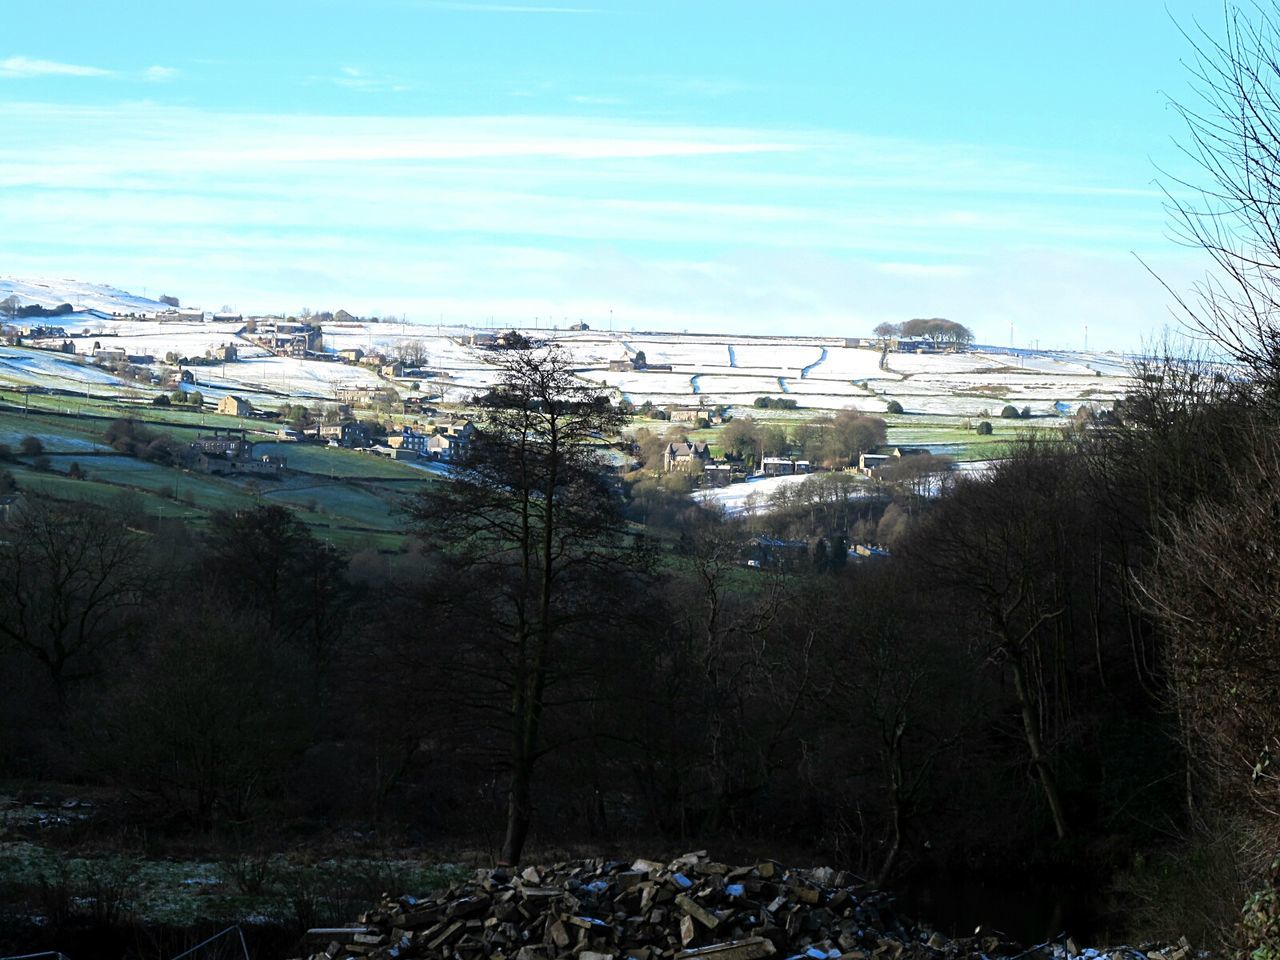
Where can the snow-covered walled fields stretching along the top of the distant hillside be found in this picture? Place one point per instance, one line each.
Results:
(817, 373)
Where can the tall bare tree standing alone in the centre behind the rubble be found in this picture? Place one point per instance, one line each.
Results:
(529, 518)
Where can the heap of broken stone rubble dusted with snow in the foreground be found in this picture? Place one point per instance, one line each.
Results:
(646, 911)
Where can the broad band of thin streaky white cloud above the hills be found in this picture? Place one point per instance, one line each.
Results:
(678, 225)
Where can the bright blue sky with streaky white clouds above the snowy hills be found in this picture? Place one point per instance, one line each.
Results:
(703, 166)
